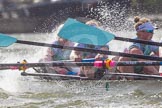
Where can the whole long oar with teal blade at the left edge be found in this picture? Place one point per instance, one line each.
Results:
(5, 38)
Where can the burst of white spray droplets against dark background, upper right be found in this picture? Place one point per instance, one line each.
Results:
(113, 16)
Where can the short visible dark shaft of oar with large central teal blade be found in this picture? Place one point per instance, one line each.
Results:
(138, 41)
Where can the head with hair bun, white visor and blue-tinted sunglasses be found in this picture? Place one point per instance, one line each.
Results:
(144, 28)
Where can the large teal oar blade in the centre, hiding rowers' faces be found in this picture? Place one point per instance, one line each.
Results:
(76, 31)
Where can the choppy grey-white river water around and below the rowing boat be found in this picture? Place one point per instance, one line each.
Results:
(18, 91)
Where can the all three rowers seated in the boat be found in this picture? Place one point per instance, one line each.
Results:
(144, 30)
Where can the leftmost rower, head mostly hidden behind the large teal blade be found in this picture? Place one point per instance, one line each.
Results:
(56, 54)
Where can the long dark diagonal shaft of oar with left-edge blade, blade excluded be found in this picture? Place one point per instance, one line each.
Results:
(91, 50)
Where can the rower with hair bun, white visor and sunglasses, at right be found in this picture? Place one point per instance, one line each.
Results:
(145, 31)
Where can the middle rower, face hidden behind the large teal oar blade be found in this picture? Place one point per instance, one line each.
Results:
(90, 72)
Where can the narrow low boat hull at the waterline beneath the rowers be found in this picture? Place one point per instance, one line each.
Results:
(110, 76)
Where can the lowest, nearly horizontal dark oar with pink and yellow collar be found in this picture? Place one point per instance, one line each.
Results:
(76, 64)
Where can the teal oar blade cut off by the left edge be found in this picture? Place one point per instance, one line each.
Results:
(6, 40)
